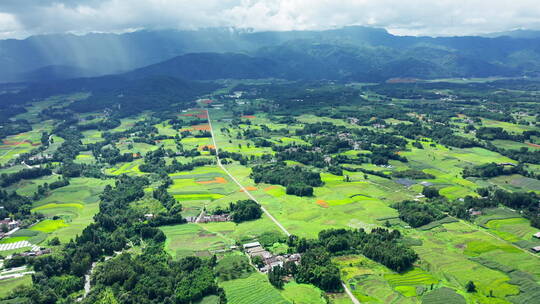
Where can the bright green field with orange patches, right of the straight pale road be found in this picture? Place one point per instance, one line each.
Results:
(305, 217)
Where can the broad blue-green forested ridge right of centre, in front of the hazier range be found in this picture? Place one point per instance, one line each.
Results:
(304, 60)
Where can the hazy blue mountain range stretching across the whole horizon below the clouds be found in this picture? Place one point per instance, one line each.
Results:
(351, 53)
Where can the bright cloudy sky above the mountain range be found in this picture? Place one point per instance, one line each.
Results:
(20, 18)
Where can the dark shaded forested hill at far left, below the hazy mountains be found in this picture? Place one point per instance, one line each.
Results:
(132, 95)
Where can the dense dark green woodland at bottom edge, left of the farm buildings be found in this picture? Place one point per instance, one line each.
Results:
(153, 277)
